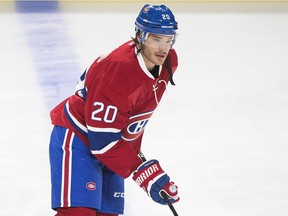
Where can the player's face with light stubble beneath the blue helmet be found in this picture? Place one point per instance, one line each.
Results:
(155, 49)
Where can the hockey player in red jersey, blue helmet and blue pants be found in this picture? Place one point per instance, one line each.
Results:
(97, 133)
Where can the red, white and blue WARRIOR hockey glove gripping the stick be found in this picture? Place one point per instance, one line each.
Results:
(154, 181)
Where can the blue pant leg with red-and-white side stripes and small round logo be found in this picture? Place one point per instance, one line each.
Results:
(75, 173)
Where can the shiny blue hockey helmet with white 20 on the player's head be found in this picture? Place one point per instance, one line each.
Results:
(156, 20)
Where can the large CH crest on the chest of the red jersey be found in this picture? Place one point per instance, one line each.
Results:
(136, 126)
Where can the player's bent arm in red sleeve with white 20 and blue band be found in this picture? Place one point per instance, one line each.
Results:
(107, 113)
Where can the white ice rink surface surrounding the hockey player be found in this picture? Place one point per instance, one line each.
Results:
(221, 133)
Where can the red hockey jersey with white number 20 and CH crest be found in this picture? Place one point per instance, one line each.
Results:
(112, 104)
